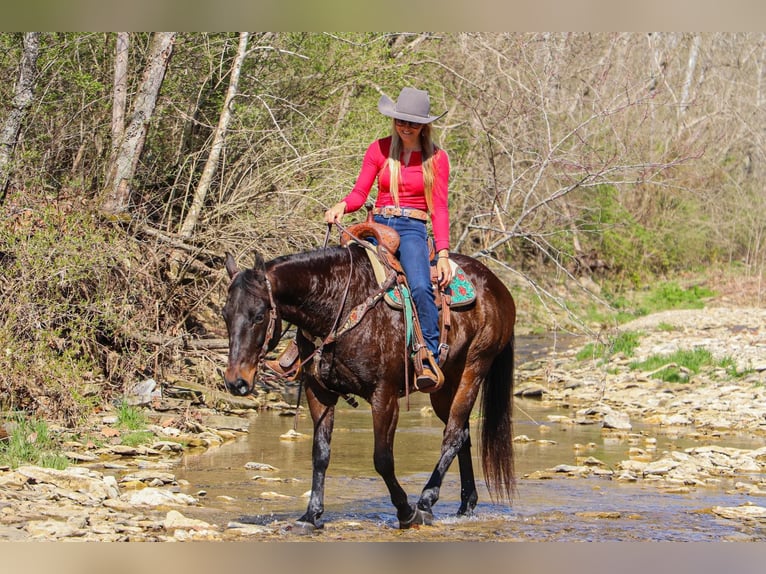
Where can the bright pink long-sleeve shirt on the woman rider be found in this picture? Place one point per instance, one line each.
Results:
(411, 189)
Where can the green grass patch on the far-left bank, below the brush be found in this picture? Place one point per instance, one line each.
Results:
(30, 442)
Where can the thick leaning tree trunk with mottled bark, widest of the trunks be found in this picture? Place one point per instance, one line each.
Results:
(123, 168)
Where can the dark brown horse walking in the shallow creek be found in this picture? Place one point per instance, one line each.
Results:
(316, 291)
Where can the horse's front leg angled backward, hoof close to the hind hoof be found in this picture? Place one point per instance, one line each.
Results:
(385, 415)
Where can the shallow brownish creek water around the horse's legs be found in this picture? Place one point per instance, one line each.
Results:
(357, 505)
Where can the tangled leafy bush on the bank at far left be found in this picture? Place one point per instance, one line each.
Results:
(66, 294)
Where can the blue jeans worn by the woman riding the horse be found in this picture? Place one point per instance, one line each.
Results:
(413, 255)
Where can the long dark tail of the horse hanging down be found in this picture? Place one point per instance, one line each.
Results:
(496, 430)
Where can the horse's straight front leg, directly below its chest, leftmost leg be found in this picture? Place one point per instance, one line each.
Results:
(323, 416)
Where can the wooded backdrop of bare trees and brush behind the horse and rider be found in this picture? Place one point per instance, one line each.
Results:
(586, 168)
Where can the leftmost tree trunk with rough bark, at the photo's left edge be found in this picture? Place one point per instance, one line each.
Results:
(22, 99)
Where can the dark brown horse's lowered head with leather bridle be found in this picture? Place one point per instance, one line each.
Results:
(252, 322)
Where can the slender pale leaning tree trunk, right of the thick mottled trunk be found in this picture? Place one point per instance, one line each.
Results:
(218, 141)
